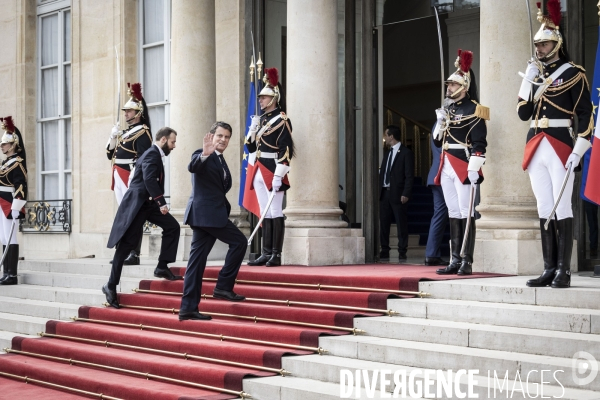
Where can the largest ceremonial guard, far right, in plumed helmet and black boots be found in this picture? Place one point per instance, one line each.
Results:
(553, 91)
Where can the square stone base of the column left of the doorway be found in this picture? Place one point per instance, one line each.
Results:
(323, 246)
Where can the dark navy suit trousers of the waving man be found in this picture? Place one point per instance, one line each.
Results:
(203, 240)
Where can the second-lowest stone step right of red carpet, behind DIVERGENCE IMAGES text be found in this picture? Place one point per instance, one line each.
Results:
(328, 368)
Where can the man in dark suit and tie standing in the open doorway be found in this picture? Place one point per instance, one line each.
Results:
(395, 188)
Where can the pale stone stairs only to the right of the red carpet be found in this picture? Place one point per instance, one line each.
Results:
(501, 325)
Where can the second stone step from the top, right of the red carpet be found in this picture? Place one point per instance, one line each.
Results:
(576, 320)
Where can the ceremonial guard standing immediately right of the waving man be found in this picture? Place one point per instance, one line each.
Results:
(271, 139)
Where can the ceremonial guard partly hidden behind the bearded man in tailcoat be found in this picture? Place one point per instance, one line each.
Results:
(125, 147)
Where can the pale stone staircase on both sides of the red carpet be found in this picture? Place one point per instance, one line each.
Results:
(495, 324)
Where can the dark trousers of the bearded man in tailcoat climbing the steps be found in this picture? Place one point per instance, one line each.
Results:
(170, 239)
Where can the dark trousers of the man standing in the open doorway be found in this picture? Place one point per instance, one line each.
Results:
(387, 211)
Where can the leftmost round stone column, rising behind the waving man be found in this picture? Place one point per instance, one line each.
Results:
(193, 91)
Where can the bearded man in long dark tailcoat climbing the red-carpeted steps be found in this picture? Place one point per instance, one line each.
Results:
(145, 201)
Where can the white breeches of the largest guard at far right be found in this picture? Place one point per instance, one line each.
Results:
(547, 172)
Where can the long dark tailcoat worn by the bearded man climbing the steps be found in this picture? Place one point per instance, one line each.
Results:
(147, 185)
